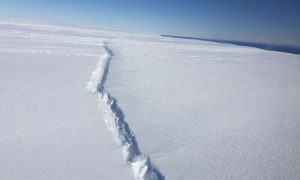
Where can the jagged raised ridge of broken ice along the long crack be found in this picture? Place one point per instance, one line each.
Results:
(114, 118)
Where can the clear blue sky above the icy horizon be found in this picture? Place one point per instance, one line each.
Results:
(263, 21)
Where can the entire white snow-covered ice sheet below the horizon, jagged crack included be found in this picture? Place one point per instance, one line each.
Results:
(200, 110)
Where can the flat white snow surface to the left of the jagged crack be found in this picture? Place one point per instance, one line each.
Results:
(50, 127)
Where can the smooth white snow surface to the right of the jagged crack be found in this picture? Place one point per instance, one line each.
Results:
(204, 110)
